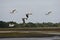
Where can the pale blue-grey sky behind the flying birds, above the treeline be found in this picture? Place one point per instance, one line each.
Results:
(38, 8)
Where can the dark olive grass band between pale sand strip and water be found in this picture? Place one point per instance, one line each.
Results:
(11, 35)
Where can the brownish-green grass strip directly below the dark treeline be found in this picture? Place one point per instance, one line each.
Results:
(30, 29)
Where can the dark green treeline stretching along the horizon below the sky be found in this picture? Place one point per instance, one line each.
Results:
(30, 24)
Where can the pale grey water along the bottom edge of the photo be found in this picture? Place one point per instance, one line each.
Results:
(41, 38)
